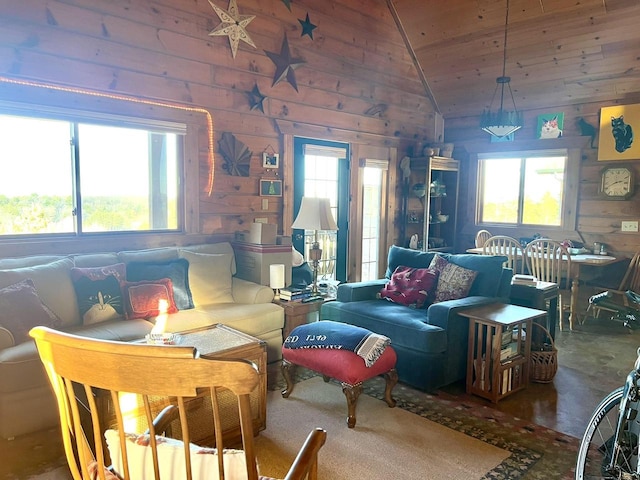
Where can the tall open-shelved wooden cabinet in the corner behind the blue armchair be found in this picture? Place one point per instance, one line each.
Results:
(430, 203)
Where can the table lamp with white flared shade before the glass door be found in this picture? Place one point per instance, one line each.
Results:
(315, 214)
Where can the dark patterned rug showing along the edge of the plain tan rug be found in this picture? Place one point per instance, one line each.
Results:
(536, 452)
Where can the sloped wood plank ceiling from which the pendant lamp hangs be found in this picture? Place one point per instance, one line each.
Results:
(559, 52)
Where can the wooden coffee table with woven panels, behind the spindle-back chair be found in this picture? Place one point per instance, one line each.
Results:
(214, 342)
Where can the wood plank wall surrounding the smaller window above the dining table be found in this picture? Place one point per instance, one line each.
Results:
(598, 220)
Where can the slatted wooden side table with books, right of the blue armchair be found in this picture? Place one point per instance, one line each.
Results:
(497, 364)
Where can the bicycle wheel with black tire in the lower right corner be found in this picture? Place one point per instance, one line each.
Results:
(596, 447)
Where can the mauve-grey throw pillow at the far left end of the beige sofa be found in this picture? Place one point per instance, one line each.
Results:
(21, 309)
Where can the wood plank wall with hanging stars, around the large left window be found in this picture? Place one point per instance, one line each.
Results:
(161, 49)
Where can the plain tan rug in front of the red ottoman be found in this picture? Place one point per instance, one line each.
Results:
(385, 443)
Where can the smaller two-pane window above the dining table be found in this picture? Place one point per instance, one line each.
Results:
(524, 188)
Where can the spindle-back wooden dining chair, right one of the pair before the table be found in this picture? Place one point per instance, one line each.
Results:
(549, 261)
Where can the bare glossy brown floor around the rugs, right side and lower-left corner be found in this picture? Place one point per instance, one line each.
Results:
(593, 360)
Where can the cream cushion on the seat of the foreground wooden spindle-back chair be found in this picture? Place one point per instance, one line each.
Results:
(171, 461)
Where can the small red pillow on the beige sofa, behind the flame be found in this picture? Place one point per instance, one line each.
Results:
(148, 298)
